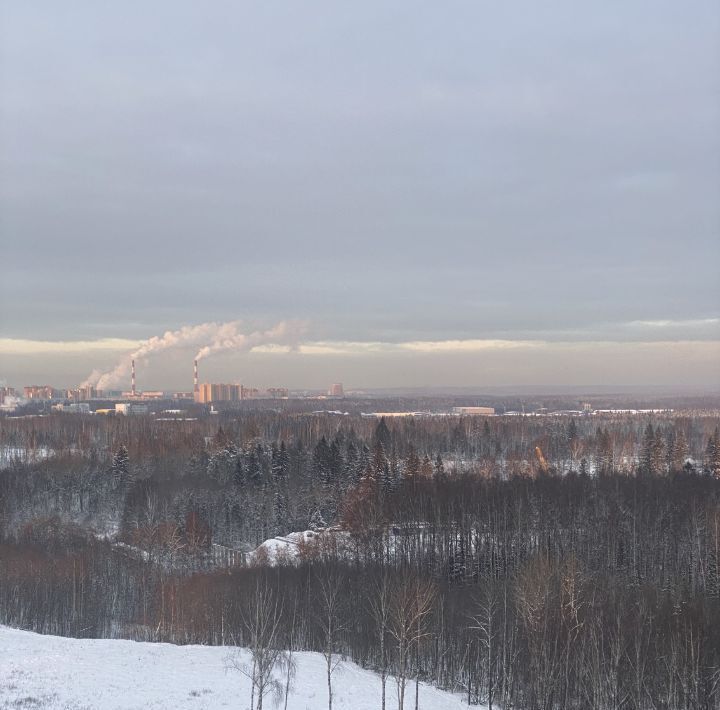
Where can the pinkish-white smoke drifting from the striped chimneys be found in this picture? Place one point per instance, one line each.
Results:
(211, 338)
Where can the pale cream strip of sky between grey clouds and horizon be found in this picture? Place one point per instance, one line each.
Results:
(477, 364)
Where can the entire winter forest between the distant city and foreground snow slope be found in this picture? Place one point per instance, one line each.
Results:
(528, 562)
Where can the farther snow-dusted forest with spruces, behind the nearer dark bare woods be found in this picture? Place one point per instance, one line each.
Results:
(269, 473)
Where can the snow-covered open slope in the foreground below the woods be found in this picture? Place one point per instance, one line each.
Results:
(56, 673)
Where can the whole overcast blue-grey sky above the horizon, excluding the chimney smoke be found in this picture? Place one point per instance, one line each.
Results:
(473, 178)
